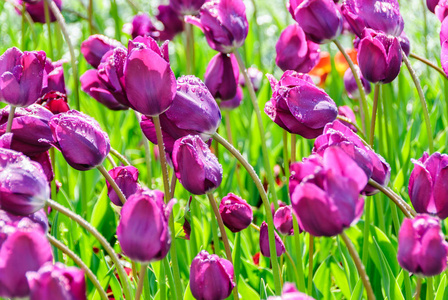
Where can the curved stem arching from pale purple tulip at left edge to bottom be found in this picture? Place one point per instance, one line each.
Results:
(107, 247)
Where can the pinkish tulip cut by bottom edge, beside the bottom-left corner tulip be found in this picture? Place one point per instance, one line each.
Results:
(57, 282)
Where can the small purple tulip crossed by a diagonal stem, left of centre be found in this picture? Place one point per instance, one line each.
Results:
(127, 180)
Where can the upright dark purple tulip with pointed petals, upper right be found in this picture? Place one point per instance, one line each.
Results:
(379, 56)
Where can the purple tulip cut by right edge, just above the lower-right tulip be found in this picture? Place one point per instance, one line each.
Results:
(427, 184)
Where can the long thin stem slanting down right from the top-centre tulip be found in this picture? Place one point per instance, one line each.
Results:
(264, 150)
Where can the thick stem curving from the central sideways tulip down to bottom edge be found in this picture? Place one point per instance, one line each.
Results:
(266, 204)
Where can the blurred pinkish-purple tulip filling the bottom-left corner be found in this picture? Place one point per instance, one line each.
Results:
(24, 250)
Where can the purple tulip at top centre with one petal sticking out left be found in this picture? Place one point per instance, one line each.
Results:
(224, 24)
